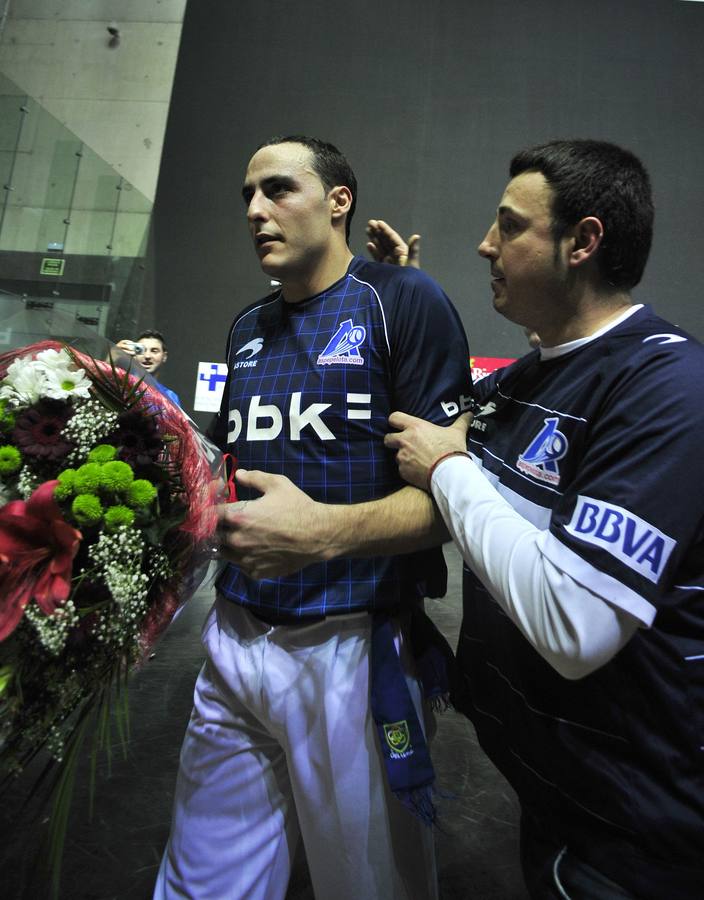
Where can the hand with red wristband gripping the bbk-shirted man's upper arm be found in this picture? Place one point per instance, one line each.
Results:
(419, 444)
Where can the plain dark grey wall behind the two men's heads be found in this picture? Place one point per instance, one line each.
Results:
(428, 100)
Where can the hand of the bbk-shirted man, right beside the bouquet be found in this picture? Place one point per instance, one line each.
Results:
(280, 532)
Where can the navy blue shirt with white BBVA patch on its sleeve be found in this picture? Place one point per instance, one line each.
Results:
(601, 448)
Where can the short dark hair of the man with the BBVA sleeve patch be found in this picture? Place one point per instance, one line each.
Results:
(595, 178)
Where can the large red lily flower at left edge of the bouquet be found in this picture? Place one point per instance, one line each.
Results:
(37, 548)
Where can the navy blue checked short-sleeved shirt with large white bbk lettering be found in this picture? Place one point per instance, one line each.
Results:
(309, 392)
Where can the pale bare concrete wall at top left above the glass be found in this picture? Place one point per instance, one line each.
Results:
(114, 98)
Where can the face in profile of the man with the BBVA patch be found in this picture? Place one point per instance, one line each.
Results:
(530, 275)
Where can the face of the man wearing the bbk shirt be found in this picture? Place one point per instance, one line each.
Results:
(288, 211)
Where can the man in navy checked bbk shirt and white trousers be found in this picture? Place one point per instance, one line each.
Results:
(308, 714)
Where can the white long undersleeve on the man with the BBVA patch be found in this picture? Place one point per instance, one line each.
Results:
(572, 628)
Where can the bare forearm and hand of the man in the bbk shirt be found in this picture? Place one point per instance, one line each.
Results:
(284, 529)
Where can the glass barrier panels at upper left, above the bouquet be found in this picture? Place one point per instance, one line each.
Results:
(66, 204)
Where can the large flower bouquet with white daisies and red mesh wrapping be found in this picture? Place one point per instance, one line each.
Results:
(107, 514)
